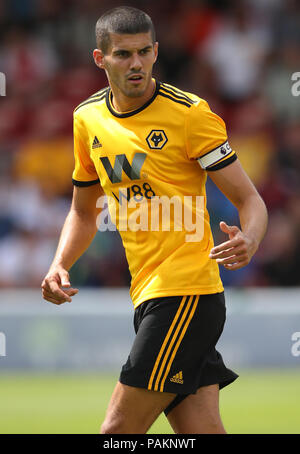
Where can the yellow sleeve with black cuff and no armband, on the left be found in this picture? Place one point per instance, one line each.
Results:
(84, 173)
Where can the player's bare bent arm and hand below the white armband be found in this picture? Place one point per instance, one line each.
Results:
(235, 184)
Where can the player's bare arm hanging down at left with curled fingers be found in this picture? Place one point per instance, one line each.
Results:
(77, 234)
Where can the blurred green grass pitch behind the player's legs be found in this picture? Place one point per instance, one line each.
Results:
(258, 402)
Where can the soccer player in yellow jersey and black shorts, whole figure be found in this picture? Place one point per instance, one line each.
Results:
(138, 140)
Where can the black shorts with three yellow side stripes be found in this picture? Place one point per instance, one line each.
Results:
(174, 348)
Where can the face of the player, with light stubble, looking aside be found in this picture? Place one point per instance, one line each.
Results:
(128, 62)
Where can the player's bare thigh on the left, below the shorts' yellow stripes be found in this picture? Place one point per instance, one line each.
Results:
(133, 410)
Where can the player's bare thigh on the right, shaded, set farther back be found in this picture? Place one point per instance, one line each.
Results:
(198, 413)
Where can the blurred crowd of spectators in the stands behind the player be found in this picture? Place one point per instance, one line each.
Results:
(238, 55)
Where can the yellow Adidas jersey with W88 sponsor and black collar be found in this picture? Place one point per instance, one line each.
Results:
(155, 160)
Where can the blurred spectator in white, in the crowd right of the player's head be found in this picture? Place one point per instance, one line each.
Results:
(236, 51)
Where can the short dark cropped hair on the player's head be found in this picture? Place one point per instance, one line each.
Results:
(122, 20)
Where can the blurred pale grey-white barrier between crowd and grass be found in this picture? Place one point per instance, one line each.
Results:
(95, 331)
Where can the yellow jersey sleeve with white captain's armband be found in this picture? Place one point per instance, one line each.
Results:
(207, 140)
